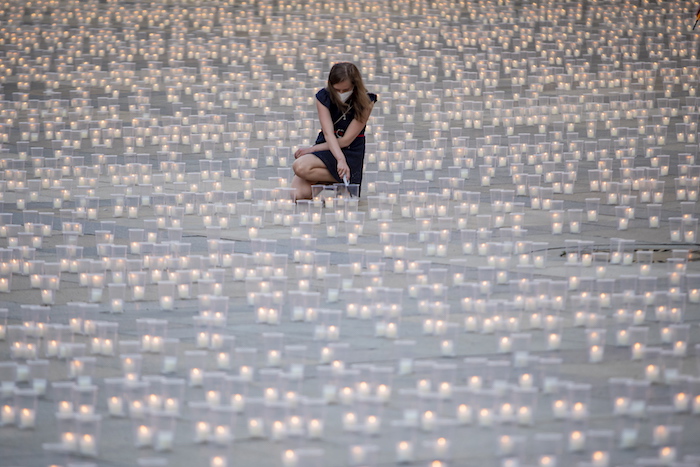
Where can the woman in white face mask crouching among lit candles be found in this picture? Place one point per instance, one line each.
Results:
(344, 106)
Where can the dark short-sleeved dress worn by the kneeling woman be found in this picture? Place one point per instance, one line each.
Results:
(355, 152)
